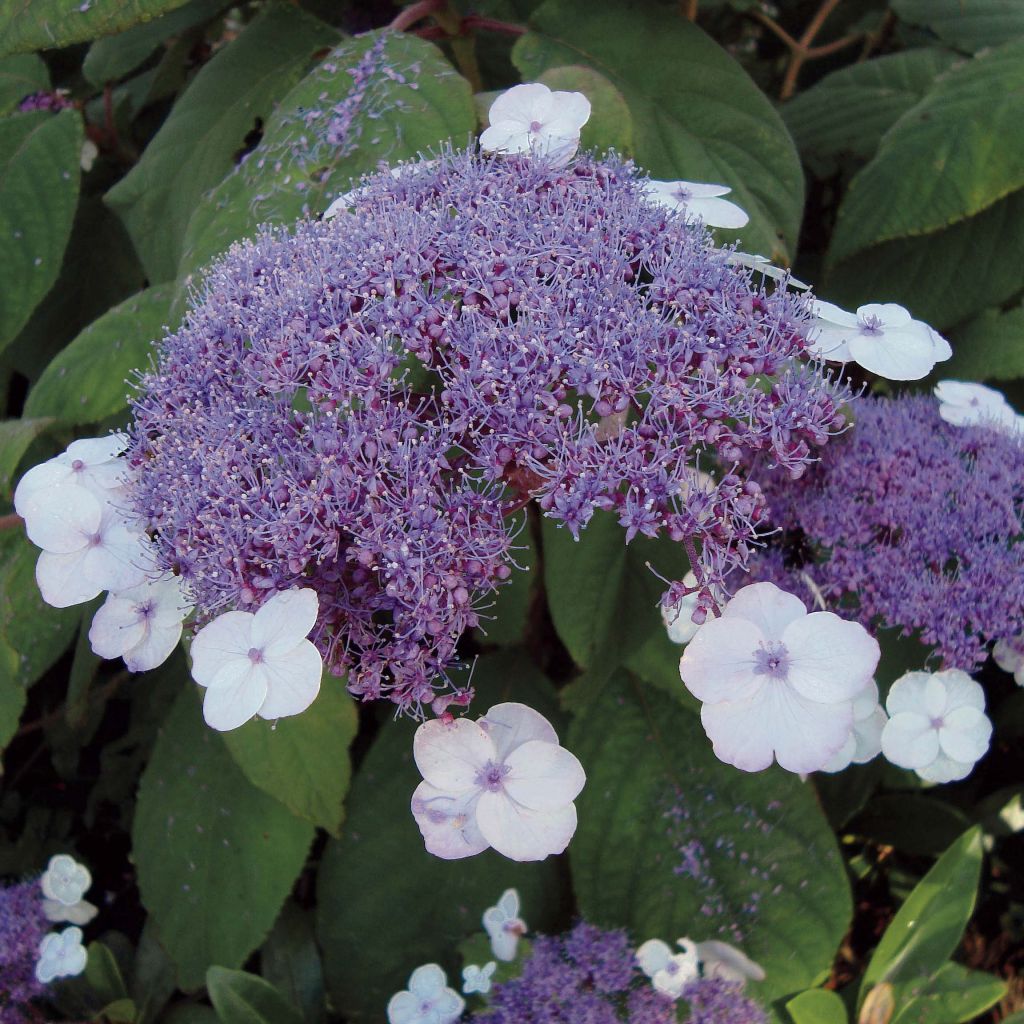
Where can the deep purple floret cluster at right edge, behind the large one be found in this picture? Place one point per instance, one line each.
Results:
(910, 523)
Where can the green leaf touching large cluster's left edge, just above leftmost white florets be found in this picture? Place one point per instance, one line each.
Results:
(90, 380)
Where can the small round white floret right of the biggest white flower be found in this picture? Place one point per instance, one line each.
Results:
(937, 724)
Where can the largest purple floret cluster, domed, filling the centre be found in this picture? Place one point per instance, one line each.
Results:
(362, 406)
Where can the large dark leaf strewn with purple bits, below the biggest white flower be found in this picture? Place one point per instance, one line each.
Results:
(672, 842)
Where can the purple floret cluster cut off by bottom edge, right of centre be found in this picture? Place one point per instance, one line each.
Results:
(590, 976)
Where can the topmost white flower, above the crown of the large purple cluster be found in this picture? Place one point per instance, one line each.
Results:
(533, 119)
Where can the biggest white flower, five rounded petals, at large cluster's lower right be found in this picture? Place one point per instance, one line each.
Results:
(777, 682)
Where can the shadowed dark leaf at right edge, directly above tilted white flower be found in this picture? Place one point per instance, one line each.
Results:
(944, 278)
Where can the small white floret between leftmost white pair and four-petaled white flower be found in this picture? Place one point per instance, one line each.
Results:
(142, 625)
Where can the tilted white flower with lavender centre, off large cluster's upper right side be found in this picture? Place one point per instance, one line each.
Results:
(881, 337)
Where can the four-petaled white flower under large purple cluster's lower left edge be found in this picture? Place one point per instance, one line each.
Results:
(260, 664)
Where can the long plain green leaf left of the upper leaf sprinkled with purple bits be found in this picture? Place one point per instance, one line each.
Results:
(198, 144)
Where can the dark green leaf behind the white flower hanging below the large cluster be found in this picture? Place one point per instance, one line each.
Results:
(386, 906)
